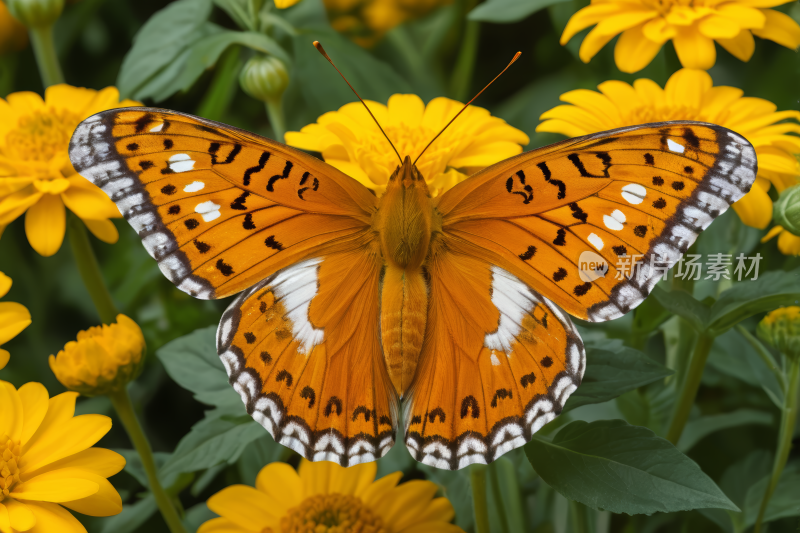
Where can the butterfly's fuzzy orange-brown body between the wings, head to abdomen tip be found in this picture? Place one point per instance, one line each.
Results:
(404, 222)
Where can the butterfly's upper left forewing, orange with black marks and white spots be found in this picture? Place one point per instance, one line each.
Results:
(219, 208)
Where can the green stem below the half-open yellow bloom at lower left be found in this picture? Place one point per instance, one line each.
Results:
(122, 403)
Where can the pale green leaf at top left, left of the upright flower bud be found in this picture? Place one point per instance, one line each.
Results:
(159, 47)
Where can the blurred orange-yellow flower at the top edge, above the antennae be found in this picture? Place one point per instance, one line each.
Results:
(365, 22)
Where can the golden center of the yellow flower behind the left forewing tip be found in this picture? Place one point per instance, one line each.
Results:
(40, 135)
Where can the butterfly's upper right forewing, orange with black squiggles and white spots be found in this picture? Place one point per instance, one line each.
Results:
(635, 198)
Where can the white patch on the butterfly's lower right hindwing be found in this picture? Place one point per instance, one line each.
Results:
(514, 300)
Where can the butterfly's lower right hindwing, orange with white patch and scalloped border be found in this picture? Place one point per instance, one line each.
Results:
(498, 362)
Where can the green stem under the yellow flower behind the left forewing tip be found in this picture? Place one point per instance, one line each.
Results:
(90, 270)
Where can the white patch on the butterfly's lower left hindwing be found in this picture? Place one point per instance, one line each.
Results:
(297, 286)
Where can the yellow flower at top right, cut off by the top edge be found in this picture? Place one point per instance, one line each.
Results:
(692, 25)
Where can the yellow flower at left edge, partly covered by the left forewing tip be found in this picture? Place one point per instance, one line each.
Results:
(35, 172)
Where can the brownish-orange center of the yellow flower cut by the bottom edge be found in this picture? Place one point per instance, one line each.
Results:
(331, 513)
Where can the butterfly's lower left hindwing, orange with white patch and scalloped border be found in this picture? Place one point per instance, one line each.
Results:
(302, 348)
